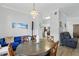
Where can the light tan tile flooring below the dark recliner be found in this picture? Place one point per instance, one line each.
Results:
(66, 51)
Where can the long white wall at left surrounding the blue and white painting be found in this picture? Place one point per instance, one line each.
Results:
(7, 17)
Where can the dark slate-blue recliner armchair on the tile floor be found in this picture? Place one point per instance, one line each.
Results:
(66, 40)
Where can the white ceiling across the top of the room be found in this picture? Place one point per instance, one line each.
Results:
(70, 9)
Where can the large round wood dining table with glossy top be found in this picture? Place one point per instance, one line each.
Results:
(33, 48)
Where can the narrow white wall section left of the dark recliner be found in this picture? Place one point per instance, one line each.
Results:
(55, 25)
